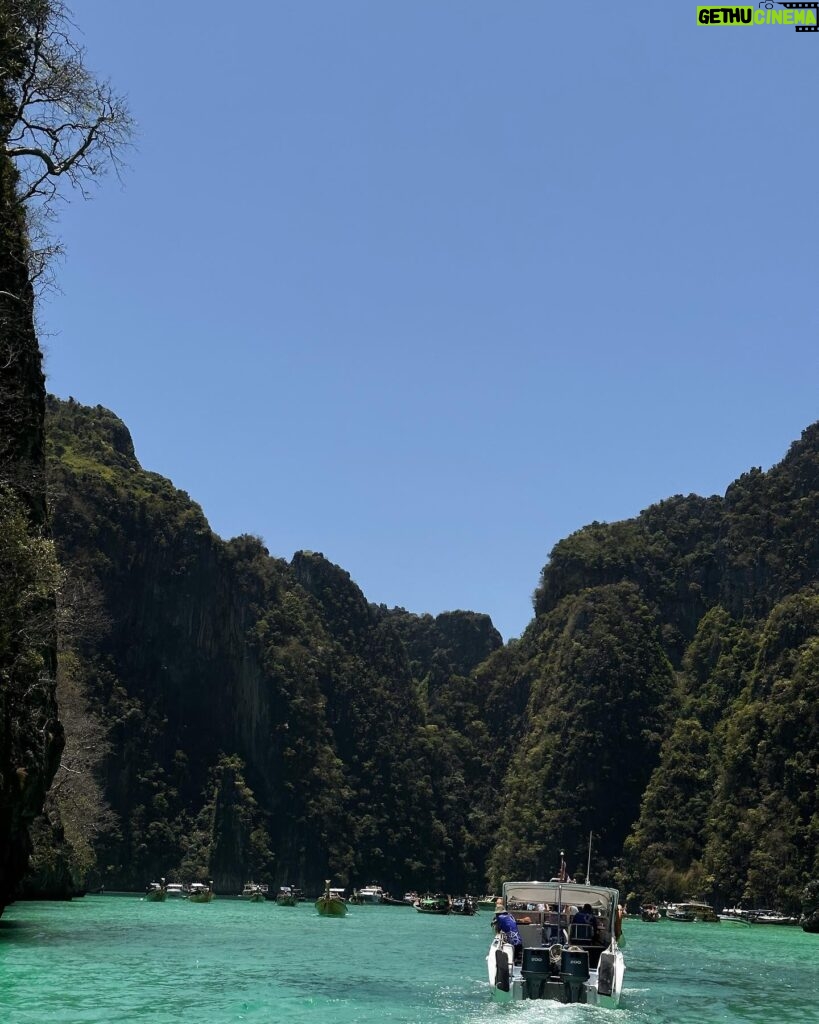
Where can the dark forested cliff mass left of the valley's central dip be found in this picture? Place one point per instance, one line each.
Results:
(283, 666)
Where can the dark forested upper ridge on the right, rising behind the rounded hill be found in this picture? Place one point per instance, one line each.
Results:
(744, 552)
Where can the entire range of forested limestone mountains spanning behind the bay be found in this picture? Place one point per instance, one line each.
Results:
(272, 719)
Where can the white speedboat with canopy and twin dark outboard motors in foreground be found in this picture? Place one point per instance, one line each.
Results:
(562, 960)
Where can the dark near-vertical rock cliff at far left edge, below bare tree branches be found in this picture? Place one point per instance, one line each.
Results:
(30, 735)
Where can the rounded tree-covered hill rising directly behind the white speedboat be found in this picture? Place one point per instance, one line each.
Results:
(598, 710)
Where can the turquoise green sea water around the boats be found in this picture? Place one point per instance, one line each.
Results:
(118, 960)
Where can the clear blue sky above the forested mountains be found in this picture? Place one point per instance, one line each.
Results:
(427, 285)
